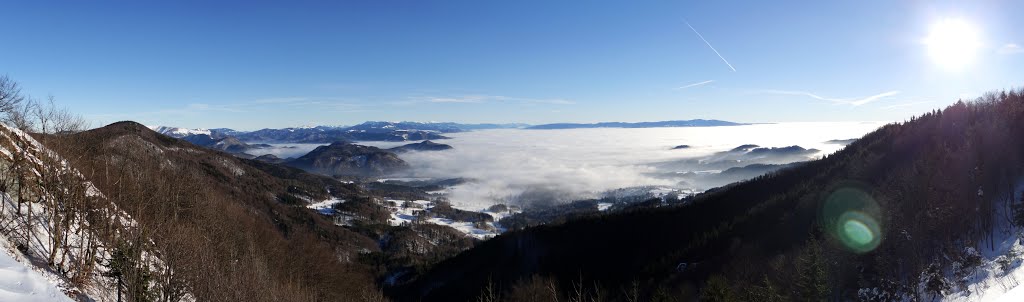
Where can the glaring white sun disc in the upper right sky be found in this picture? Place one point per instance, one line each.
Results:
(953, 44)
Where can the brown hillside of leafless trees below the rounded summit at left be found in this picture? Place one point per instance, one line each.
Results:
(224, 226)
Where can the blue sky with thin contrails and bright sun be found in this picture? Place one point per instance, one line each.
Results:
(252, 65)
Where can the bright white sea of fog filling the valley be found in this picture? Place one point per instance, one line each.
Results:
(526, 166)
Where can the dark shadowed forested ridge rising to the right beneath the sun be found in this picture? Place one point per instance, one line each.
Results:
(921, 191)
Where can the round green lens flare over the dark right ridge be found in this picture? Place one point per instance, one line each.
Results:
(848, 214)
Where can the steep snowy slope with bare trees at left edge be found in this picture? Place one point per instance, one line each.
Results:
(60, 251)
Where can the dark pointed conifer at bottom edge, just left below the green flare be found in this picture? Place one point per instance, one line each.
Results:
(813, 279)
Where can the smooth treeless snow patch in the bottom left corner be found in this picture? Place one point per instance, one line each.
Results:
(20, 282)
